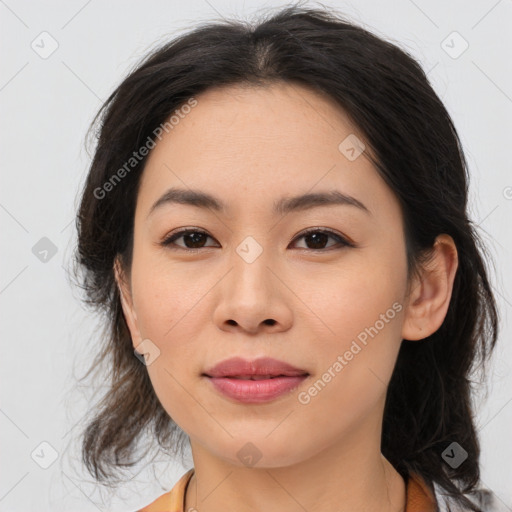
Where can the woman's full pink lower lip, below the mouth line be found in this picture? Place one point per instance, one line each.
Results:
(256, 391)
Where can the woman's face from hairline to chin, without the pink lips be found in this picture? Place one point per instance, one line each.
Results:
(337, 309)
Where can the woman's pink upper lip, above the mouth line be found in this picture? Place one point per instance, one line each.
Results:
(239, 367)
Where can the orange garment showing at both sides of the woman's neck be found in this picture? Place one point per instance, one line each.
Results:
(419, 497)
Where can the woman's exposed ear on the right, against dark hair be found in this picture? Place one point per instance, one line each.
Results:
(430, 297)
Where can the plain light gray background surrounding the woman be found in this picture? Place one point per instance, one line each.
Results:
(46, 106)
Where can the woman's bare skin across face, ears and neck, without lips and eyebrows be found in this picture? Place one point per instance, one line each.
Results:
(249, 147)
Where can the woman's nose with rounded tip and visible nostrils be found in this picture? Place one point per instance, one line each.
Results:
(253, 298)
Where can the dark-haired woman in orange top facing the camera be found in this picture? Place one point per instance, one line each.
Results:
(275, 224)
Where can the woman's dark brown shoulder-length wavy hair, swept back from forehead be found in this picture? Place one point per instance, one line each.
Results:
(417, 152)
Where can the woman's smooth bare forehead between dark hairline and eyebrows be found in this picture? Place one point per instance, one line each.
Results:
(254, 145)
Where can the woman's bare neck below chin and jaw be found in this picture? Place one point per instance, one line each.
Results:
(354, 477)
